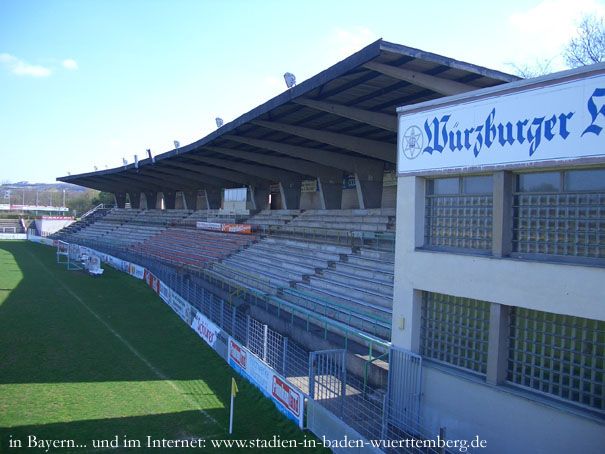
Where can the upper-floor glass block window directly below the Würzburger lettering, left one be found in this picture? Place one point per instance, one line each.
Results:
(459, 214)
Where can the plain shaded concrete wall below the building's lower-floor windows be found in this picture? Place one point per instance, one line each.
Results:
(509, 422)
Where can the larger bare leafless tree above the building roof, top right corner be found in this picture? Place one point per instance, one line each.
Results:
(588, 46)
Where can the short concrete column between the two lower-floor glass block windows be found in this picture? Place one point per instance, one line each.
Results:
(497, 352)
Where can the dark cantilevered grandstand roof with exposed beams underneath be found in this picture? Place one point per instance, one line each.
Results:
(340, 119)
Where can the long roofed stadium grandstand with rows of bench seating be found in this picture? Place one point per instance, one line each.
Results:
(280, 228)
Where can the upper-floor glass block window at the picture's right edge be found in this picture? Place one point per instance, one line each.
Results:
(560, 214)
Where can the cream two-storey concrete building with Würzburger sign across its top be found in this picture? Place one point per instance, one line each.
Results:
(500, 261)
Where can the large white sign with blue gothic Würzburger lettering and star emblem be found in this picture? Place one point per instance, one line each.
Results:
(551, 123)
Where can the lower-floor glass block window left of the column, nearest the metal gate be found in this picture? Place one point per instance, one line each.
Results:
(455, 331)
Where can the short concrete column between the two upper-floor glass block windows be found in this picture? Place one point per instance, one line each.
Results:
(502, 230)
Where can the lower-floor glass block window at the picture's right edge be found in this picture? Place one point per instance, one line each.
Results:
(559, 355)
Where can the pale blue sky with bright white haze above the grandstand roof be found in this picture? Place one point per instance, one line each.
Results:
(84, 83)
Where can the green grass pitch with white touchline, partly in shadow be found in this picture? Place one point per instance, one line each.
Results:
(88, 359)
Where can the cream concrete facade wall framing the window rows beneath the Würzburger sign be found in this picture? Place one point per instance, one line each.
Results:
(511, 421)
